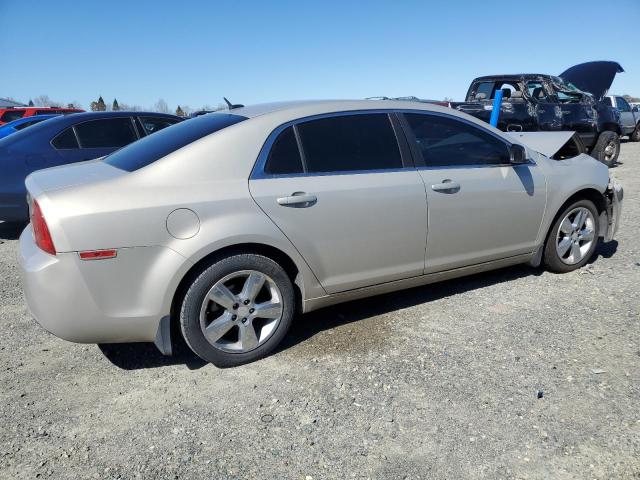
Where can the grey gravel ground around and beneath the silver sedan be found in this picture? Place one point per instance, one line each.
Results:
(434, 382)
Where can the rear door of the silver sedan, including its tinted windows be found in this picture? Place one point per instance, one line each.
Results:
(342, 192)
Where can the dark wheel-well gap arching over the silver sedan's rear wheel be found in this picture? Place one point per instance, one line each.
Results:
(268, 251)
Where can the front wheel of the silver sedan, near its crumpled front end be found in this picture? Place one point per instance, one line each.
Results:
(557, 239)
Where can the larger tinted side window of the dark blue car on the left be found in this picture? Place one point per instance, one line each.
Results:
(106, 133)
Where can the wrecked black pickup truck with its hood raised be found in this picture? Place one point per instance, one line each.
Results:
(572, 101)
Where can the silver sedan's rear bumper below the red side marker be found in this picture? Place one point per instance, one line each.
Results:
(99, 301)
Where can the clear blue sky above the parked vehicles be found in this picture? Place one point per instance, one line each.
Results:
(194, 52)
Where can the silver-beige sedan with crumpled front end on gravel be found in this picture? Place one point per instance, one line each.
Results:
(231, 223)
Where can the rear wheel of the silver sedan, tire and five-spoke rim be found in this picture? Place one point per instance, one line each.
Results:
(229, 281)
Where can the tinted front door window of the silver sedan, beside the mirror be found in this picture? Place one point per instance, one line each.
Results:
(447, 142)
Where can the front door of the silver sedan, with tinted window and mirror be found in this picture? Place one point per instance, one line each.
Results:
(481, 207)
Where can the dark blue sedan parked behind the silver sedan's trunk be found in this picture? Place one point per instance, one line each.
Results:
(62, 140)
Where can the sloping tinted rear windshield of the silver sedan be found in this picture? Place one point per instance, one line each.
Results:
(149, 149)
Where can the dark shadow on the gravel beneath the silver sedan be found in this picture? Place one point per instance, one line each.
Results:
(136, 356)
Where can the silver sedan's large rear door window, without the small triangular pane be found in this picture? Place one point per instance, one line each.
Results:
(349, 143)
